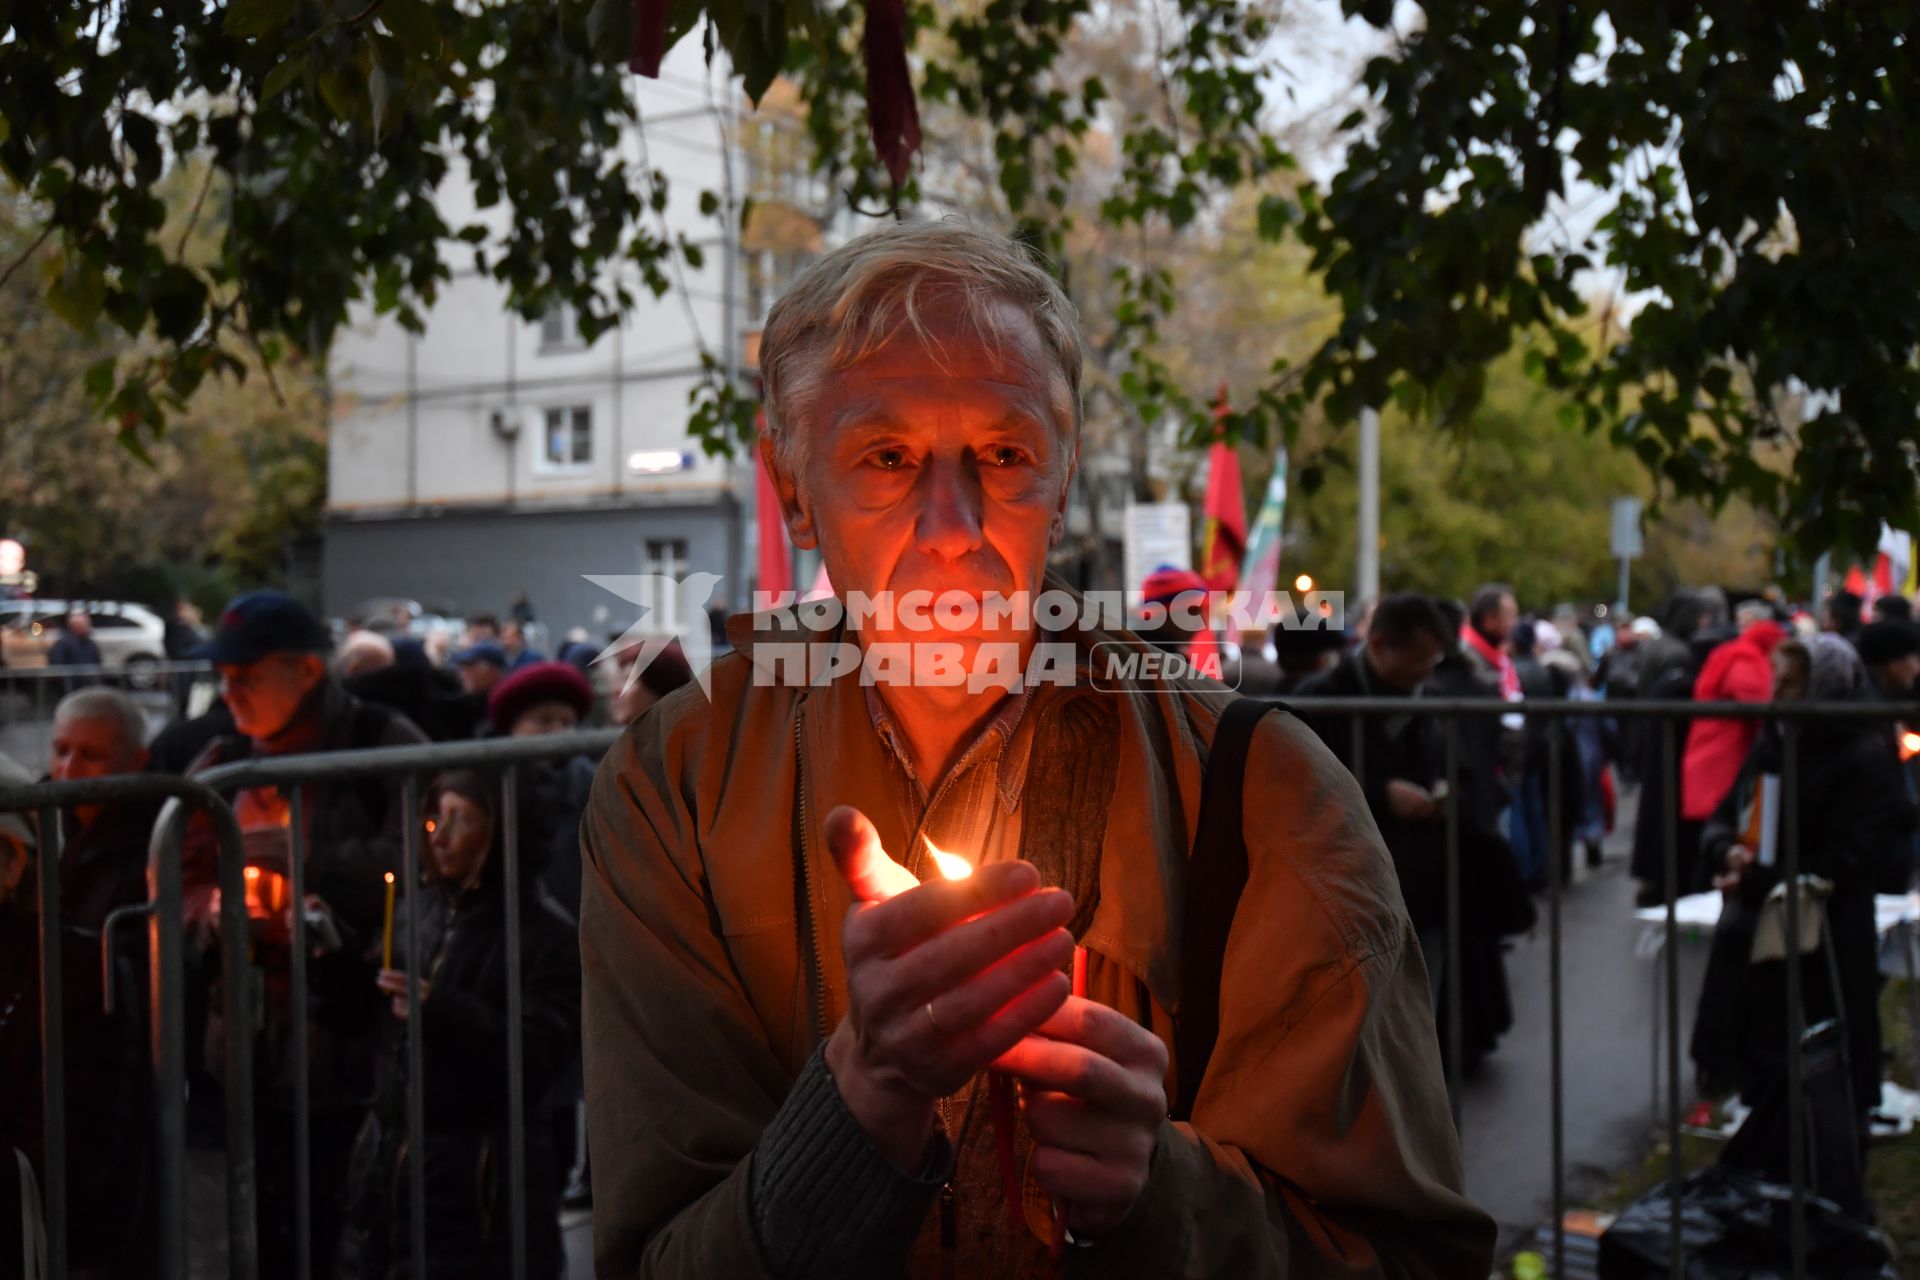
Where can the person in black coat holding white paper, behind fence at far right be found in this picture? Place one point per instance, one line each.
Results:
(1854, 826)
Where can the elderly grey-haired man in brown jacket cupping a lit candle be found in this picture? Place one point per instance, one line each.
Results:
(828, 920)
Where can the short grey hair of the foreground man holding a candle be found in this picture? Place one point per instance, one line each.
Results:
(857, 298)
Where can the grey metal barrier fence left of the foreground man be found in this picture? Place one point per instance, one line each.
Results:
(166, 949)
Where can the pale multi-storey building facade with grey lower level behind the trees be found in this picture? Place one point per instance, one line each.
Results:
(492, 454)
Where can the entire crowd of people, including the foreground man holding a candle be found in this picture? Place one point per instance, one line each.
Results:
(1191, 1056)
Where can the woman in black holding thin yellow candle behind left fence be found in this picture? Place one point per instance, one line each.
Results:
(464, 966)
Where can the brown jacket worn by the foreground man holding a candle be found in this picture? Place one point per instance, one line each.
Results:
(1322, 1141)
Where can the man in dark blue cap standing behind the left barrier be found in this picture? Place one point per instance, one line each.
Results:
(272, 655)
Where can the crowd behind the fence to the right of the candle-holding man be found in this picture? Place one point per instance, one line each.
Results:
(1854, 795)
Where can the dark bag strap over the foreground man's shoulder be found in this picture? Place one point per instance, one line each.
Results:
(1216, 876)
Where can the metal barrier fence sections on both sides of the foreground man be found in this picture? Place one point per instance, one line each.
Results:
(166, 945)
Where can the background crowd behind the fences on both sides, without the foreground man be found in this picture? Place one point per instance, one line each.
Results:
(291, 688)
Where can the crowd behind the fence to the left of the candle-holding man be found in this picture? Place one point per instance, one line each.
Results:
(289, 688)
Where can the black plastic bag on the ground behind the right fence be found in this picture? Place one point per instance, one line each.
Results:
(1735, 1227)
